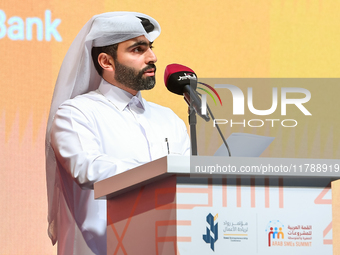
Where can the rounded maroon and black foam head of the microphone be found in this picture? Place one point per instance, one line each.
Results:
(177, 76)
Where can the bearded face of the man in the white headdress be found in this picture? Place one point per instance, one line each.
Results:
(134, 66)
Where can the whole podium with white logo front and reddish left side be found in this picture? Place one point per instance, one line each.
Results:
(178, 205)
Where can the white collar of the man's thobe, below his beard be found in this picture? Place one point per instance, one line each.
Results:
(119, 97)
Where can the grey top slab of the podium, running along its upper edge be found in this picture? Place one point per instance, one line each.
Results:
(185, 165)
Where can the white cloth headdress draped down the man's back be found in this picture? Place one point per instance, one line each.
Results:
(77, 76)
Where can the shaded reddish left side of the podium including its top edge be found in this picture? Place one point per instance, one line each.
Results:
(141, 207)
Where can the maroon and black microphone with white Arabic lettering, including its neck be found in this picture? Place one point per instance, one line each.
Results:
(181, 80)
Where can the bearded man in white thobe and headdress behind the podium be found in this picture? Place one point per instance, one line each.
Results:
(100, 125)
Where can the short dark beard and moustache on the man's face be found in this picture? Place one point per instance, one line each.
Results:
(131, 78)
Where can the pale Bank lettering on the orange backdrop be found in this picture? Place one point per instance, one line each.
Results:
(17, 28)
